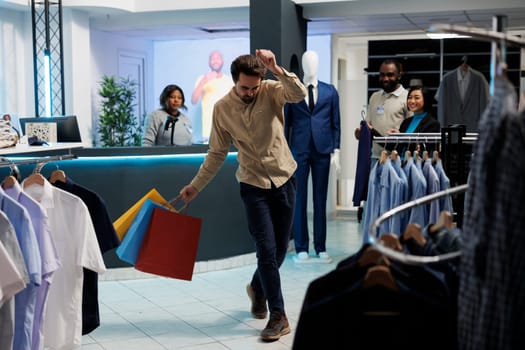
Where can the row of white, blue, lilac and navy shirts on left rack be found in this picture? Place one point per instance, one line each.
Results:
(62, 230)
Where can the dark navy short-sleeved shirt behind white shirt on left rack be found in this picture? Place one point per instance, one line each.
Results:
(107, 239)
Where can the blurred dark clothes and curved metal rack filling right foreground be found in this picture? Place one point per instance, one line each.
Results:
(374, 299)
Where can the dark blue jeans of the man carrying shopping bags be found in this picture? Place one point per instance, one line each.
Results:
(270, 216)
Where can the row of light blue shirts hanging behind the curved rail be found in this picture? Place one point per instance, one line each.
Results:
(393, 181)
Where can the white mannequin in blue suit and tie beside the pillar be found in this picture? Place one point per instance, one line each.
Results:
(314, 139)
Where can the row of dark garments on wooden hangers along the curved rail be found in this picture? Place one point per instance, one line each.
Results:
(372, 302)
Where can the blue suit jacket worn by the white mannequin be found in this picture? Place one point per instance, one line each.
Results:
(323, 125)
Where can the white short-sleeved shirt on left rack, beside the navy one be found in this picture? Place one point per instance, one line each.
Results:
(77, 247)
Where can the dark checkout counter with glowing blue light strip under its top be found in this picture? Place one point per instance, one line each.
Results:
(122, 175)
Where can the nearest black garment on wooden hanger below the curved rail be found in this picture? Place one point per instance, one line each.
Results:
(350, 316)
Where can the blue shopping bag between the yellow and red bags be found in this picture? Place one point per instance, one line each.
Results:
(130, 246)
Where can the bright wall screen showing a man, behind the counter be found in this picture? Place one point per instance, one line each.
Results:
(189, 63)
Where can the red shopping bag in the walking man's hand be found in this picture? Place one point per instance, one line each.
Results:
(170, 246)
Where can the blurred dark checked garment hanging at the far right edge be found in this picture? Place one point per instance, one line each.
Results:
(491, 297)
